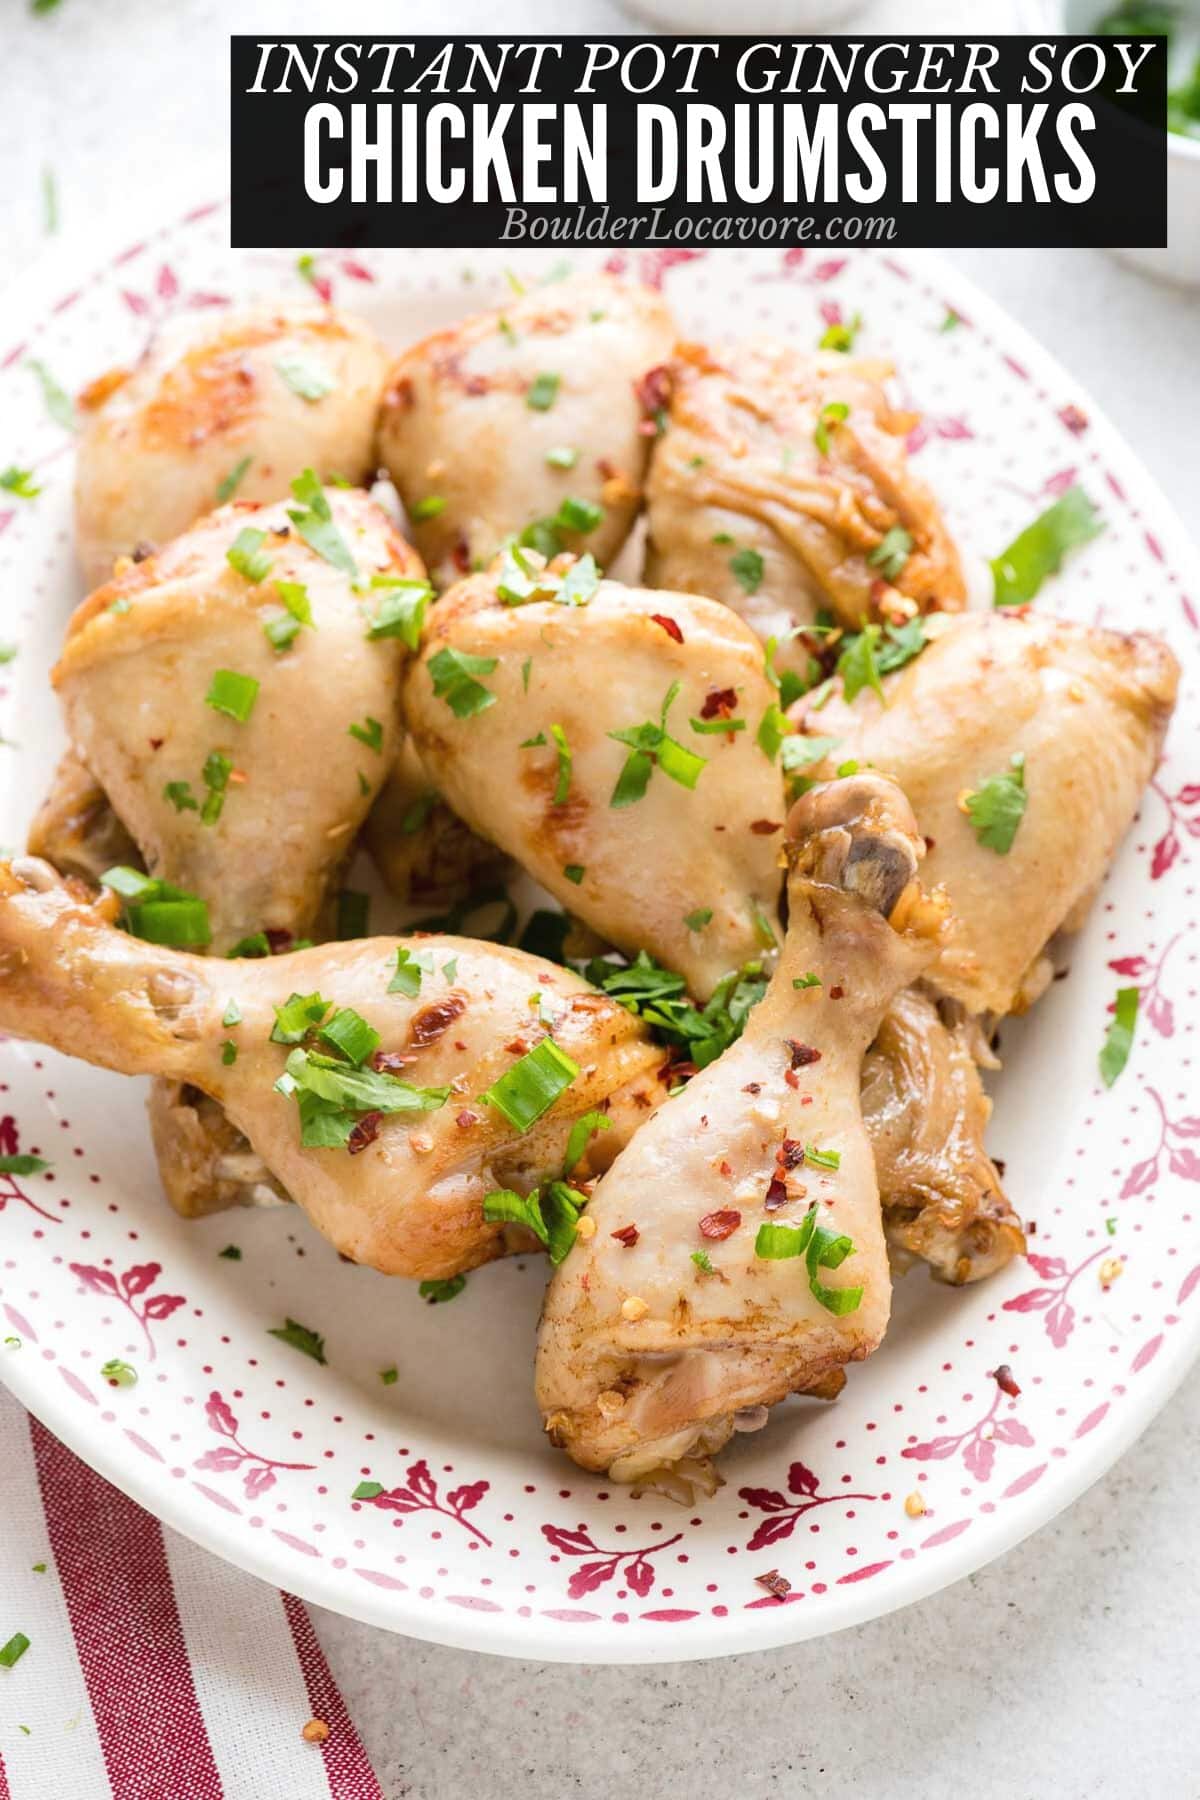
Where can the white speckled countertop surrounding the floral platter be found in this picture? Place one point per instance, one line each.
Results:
(1068, 1669)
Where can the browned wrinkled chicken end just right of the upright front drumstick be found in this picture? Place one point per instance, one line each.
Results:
(926, 1111)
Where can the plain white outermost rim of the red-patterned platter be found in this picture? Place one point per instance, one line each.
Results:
(76, 260)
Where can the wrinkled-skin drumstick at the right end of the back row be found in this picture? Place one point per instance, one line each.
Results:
(739, 471)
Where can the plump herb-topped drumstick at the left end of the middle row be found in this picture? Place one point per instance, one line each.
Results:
(134, 679)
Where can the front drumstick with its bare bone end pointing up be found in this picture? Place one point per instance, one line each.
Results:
(645, 1360)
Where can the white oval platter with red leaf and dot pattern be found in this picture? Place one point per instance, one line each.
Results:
(481, 1534)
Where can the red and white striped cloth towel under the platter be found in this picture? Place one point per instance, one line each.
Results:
(154, 1671)
